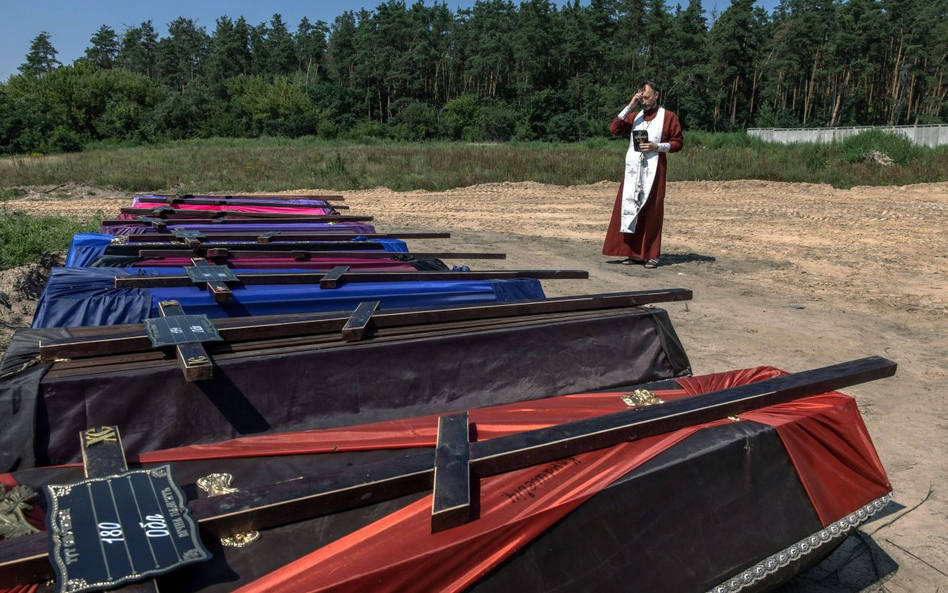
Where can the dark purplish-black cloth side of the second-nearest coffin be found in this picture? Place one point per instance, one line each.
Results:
(298, 388)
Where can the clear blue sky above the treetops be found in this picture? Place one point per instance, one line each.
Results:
(71, 23)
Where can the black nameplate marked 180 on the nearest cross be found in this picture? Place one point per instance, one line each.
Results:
(117, 529)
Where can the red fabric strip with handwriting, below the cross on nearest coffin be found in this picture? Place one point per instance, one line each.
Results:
(400, 554)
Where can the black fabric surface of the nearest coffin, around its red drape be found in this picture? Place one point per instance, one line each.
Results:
(723, 502)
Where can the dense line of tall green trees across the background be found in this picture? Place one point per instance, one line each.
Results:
(492, 72)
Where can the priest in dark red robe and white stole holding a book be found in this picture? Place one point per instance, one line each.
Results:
(635, 231)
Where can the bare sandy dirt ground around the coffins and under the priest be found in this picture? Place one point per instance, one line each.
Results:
(791, 275)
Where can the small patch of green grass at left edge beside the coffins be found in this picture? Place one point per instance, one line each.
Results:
(29, 239)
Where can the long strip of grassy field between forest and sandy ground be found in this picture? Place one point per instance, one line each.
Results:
(268, 164)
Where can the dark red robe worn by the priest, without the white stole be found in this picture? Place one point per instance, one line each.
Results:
(646, 242)
